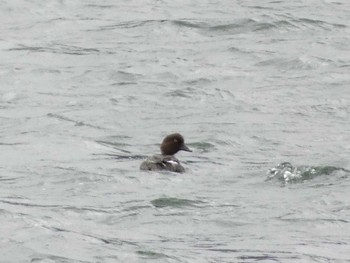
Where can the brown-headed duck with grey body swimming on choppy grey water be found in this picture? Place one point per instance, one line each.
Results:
(167, 161)
